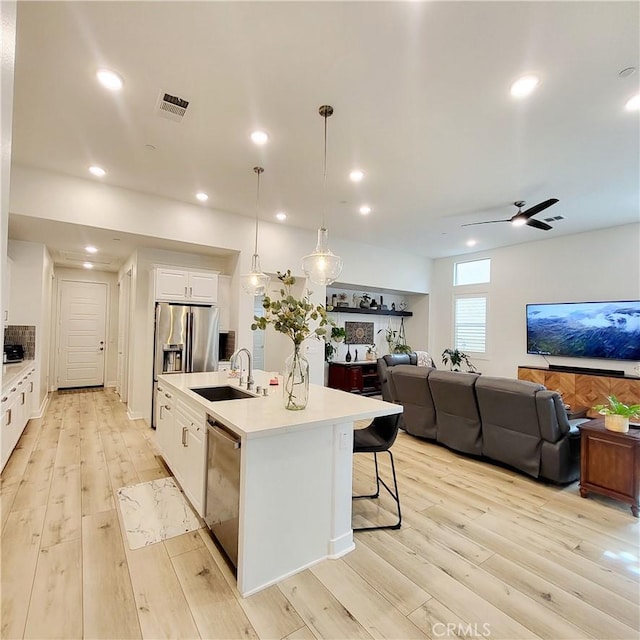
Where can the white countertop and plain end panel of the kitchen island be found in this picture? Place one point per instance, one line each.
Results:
(295, 473)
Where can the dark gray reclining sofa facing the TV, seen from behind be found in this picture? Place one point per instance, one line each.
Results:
(518, 423)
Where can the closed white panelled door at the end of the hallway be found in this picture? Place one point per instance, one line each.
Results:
(82, 334)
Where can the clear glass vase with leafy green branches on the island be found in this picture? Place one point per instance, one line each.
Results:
(291, 316)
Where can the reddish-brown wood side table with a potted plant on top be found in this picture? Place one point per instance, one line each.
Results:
(610, 463)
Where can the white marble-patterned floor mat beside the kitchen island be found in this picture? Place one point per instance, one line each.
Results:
(154, 511)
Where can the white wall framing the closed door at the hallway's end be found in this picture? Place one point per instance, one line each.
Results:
(111, 280)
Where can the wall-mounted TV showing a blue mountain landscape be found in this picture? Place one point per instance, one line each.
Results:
(585, 329)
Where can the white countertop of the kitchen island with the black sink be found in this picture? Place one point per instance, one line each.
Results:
(265, 415)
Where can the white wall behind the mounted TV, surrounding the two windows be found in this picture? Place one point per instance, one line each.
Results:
(597, 265)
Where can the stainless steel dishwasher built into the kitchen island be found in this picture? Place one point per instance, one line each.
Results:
(223, 486)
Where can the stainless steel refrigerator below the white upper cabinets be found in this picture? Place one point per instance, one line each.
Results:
(186, 341)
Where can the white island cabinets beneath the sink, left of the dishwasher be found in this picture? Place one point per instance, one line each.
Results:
(180, 436)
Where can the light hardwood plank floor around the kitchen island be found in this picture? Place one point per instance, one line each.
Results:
(483, 552)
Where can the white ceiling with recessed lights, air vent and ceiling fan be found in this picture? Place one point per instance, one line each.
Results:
(421, 99)
